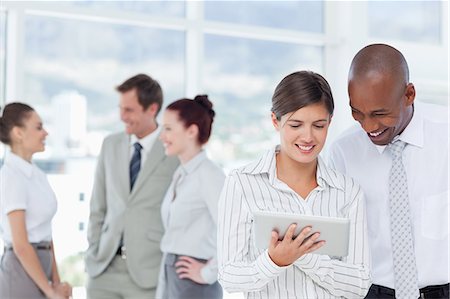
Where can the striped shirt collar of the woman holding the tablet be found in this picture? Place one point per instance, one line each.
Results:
(267, 164)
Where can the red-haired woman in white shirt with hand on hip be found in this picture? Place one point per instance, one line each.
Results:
(189, 209)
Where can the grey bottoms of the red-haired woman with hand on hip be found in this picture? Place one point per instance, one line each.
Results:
(177, 288)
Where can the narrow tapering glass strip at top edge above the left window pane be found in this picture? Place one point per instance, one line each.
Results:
(157, 8)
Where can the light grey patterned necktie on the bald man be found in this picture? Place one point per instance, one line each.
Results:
(405, 271)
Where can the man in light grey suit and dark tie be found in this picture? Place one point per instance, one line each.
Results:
(132, 176)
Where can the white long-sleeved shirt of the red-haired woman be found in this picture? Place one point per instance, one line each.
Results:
(189, 212)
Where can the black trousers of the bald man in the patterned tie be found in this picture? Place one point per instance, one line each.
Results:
(430, 292)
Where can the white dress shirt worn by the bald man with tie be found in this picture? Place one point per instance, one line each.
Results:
(425, 159)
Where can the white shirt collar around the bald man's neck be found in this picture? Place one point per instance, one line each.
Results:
(413, 133)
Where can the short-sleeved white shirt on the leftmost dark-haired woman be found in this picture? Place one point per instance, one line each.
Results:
(23, 186)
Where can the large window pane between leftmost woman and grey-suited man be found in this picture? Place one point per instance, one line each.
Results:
(71, 71)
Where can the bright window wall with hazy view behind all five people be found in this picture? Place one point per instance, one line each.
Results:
(65, 58)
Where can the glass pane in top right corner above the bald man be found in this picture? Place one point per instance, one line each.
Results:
(415, 21)
